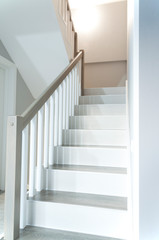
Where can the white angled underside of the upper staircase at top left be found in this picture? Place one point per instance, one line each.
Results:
(31, 34)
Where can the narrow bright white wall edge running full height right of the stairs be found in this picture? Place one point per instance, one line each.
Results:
(133, 95)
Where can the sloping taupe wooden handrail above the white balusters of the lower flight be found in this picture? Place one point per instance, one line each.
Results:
(37, 104)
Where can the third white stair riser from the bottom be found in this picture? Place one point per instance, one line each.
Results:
(95, 156)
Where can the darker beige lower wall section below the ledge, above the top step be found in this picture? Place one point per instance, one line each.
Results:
(109, 74)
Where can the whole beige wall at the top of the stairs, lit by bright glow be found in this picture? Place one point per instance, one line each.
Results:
(102, 33)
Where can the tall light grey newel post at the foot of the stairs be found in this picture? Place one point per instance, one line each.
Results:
(13, 177)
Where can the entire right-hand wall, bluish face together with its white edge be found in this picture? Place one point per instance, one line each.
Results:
(143, 74)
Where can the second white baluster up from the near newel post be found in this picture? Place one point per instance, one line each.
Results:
(33, 125)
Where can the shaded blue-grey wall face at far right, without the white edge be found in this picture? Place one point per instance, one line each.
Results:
(149, 119)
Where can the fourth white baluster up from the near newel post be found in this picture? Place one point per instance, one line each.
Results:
(46, 136)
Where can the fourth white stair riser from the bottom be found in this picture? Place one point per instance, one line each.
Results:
(80, 137)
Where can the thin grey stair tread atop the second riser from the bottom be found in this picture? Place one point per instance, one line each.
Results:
(113, 170)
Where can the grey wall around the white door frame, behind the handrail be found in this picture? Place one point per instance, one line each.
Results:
(23, 95)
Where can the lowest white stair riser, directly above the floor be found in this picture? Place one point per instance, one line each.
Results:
(83, 219)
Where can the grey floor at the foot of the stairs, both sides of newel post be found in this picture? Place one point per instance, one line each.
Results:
(32, 233)
